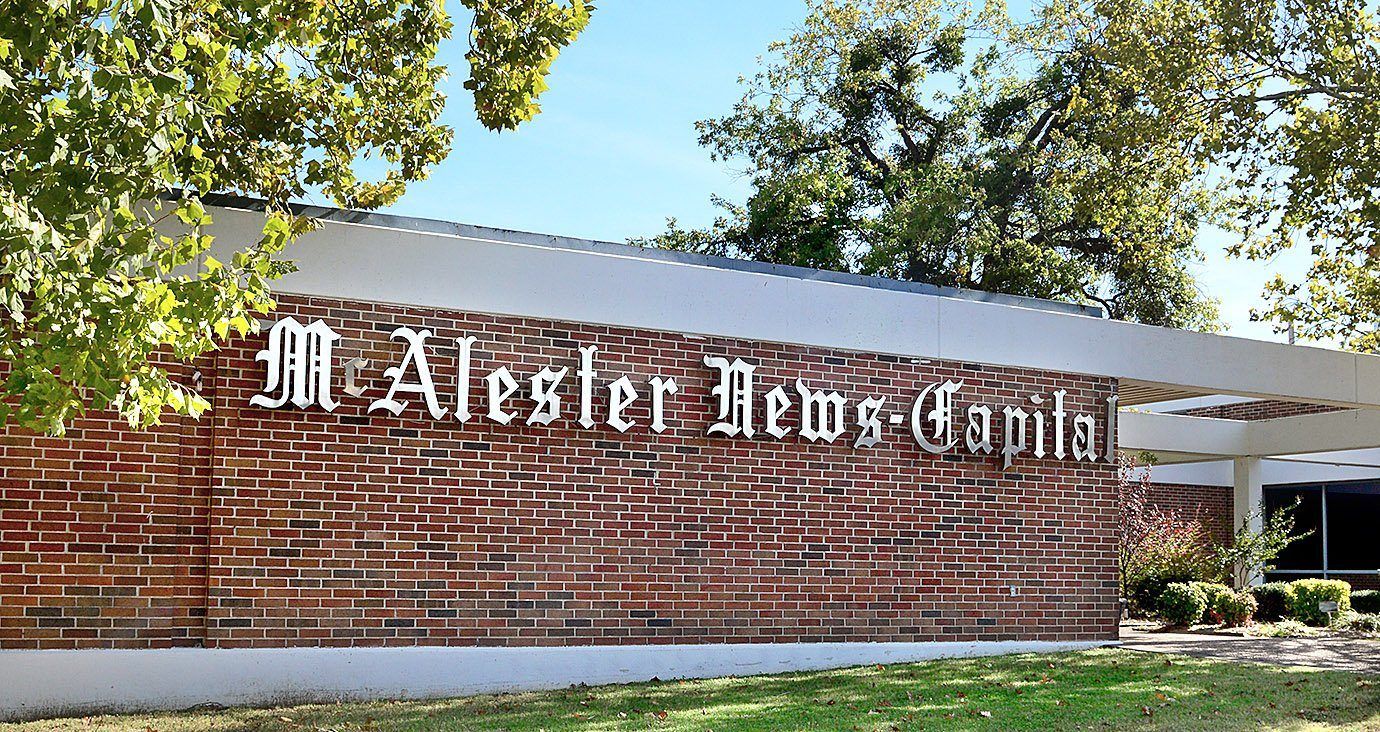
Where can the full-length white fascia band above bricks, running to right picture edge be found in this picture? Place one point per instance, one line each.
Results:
(361, 262)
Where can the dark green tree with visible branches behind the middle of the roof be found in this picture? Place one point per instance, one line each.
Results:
(925, 142)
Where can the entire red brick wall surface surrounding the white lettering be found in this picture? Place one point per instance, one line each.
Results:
(289, 528)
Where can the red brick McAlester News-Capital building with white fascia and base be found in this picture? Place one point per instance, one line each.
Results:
(463, 459)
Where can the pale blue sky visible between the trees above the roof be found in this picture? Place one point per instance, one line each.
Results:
(615, 153)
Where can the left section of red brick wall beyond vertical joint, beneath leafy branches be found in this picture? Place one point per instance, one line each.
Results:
(104, 537)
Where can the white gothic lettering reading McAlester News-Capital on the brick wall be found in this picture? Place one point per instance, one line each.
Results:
(300, 365)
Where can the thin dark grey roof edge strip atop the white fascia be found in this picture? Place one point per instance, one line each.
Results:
(433, 226)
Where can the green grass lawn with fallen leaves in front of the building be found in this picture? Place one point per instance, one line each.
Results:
(1094, 690)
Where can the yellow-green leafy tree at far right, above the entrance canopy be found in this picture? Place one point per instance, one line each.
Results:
(1283, 102)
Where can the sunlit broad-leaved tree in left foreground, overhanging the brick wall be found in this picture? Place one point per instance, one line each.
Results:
(118, 115)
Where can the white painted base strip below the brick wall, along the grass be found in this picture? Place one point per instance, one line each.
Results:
(39, 684)
